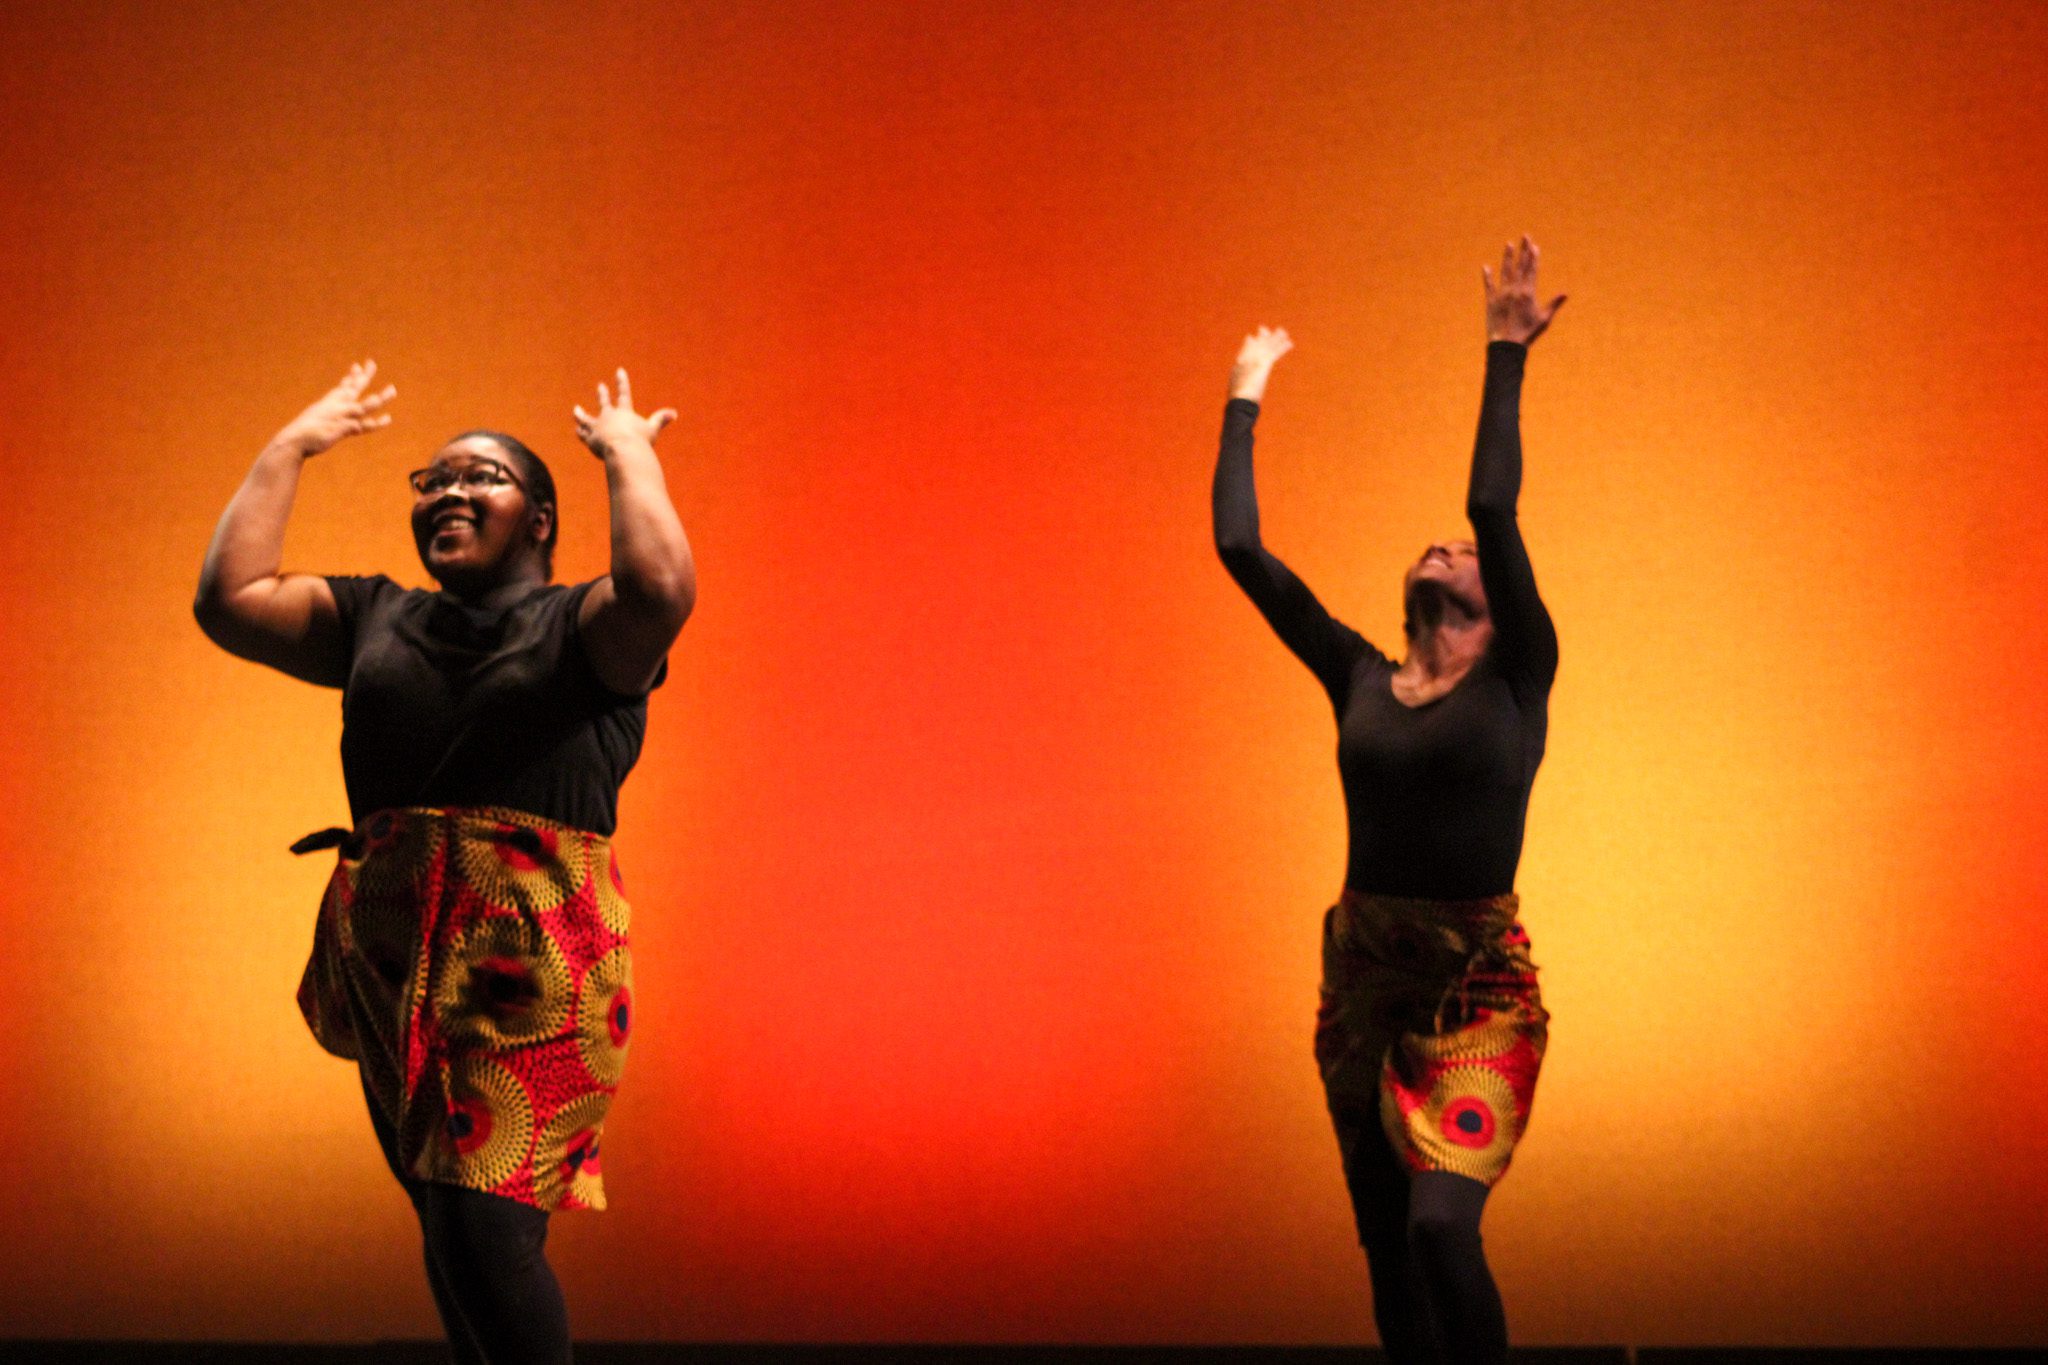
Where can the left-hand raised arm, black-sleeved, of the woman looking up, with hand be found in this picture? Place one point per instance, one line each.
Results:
(1318, 640)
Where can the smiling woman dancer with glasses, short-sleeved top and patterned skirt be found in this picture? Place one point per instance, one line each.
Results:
(472, 946)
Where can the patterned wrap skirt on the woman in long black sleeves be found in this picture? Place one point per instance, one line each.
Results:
(1431, 1018)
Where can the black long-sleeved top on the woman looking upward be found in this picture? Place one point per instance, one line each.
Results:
(1437, 795)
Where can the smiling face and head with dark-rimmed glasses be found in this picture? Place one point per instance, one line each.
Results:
(470, 533)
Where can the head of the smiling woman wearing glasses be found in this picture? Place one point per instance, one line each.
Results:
(482, 511)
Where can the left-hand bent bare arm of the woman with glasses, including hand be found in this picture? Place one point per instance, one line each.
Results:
(286, 621)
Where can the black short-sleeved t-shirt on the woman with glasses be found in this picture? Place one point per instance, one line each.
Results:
(458, 707)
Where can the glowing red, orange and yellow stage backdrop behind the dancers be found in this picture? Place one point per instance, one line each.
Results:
(982, 832)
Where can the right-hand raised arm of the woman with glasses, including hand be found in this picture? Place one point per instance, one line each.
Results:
(634, 615)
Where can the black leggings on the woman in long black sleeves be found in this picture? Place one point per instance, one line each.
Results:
(1433, 1292)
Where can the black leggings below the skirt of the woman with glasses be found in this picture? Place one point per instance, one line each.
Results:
(486, 1264)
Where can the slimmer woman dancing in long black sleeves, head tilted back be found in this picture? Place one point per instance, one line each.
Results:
(1431, 1028)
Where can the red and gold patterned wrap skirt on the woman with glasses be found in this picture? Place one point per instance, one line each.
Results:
(474, 965)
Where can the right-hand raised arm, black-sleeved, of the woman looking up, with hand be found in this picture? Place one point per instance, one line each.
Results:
(1525, 640)
